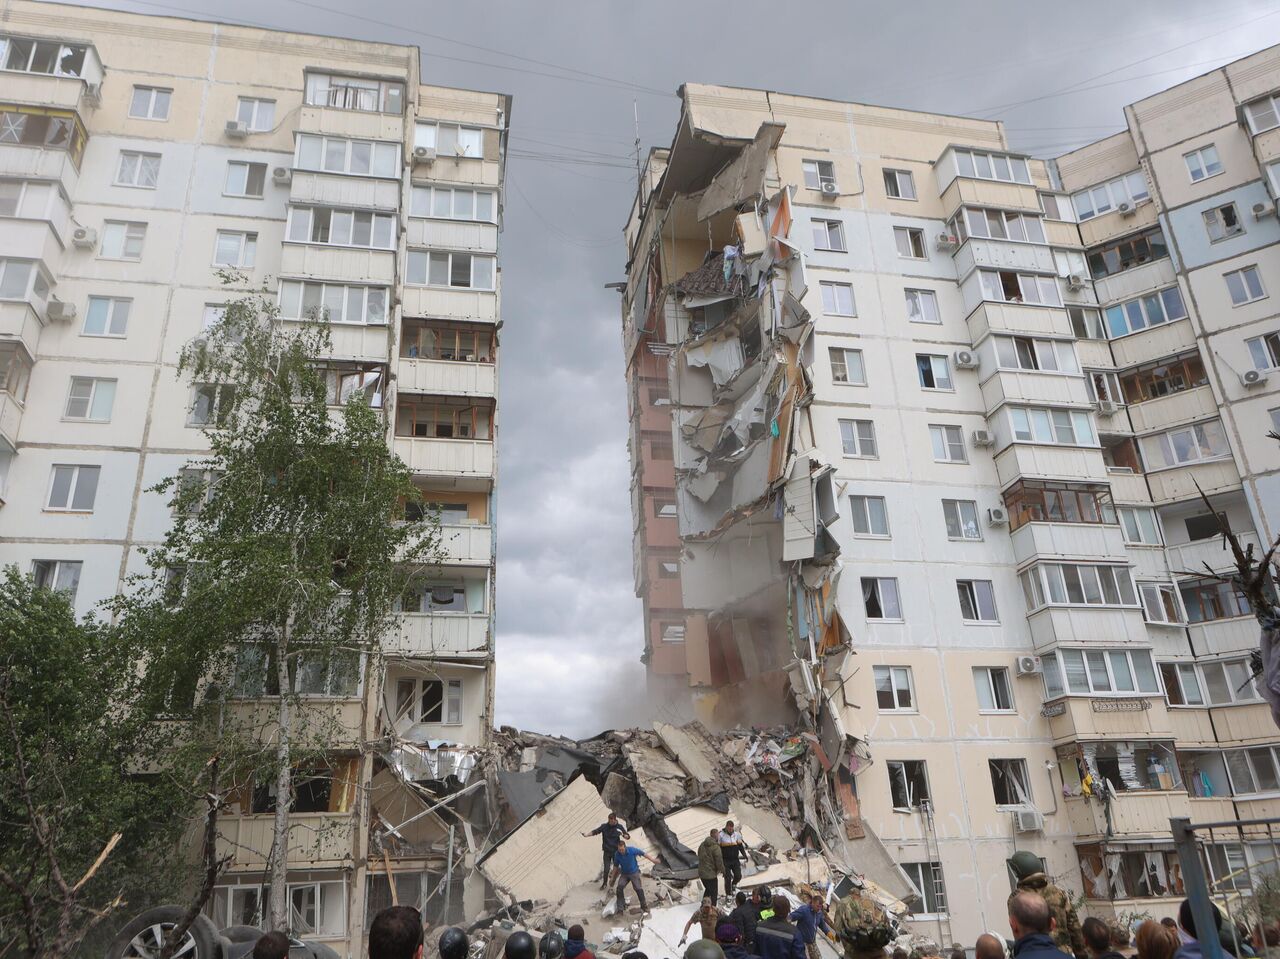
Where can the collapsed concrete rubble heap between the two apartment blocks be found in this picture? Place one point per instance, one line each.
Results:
(670, 786)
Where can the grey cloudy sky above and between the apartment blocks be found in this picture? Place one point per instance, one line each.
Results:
(1058, 74)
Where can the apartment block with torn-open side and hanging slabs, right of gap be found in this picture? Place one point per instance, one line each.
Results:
(918, 431)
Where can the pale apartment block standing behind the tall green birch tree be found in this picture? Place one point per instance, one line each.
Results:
(327, 171)
